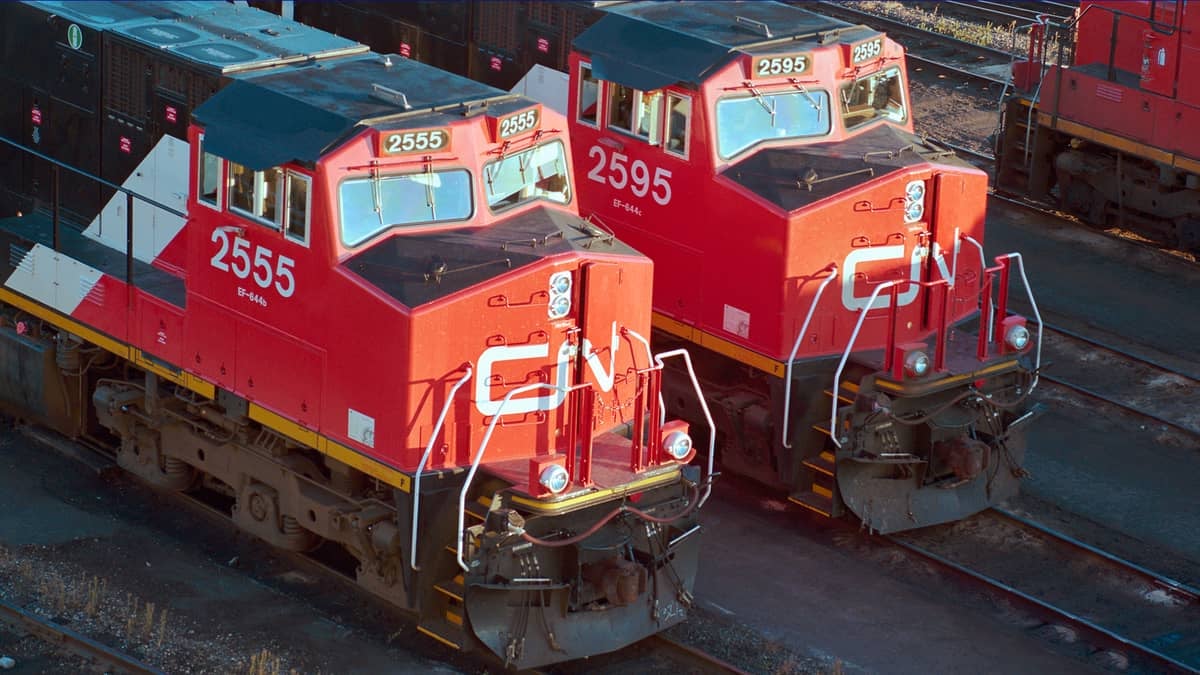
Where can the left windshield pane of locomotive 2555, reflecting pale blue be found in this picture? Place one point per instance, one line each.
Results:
(373, 205)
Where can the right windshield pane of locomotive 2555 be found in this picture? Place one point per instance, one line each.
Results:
(538, 174)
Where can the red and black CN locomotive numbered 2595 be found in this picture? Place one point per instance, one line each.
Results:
(823, 262)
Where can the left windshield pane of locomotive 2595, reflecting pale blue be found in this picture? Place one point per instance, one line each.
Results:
(742, 123)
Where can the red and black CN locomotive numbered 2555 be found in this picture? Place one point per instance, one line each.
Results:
(377, 322)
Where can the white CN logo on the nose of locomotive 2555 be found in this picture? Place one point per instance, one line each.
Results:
(493, 356)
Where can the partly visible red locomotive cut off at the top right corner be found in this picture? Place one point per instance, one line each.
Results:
(1106, 130)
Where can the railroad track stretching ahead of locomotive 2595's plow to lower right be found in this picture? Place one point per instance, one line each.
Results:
(1136, 619)
